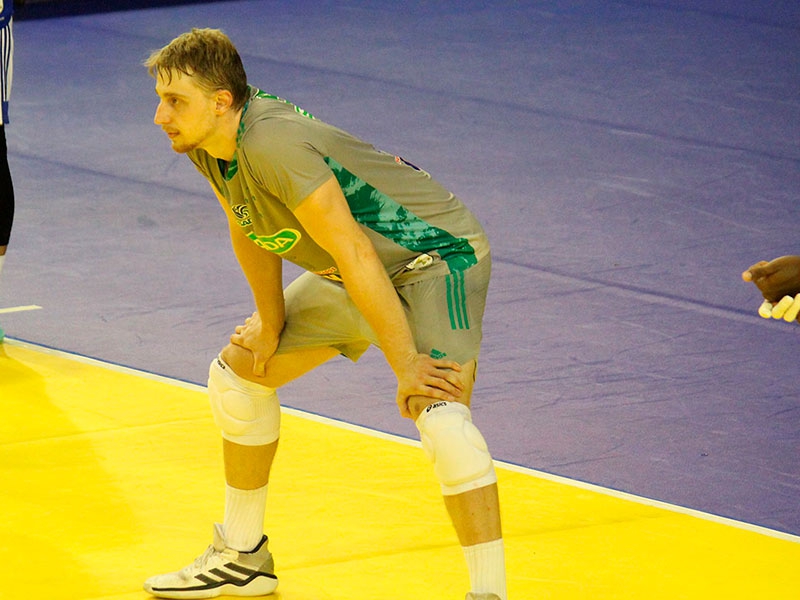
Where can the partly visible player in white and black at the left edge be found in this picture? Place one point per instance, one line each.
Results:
(6, 186)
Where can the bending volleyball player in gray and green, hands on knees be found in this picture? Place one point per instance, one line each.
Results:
(393, 260)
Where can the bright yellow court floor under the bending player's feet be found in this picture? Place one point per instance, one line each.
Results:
(110, 475)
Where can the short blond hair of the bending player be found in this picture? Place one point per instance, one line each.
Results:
(209, 56)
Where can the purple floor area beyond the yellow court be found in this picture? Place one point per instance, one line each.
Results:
(629, 160)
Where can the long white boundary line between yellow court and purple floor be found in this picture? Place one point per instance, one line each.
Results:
(310, 416)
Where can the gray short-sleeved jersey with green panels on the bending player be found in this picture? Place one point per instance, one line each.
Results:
(283, 154)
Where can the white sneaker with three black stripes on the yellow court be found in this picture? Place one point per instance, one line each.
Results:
(220, 570)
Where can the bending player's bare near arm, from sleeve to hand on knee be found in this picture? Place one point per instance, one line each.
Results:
(326, 217)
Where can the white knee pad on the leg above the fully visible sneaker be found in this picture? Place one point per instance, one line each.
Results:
(247, 413)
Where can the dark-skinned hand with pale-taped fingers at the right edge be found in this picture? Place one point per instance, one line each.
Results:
(779, 282)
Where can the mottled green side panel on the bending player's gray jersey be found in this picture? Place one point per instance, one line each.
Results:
(383, 215)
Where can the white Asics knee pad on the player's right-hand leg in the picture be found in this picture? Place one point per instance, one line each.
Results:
(460, 457)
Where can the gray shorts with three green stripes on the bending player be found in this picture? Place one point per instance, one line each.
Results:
(445, 315)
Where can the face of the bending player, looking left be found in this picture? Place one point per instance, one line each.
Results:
(185, 112)
